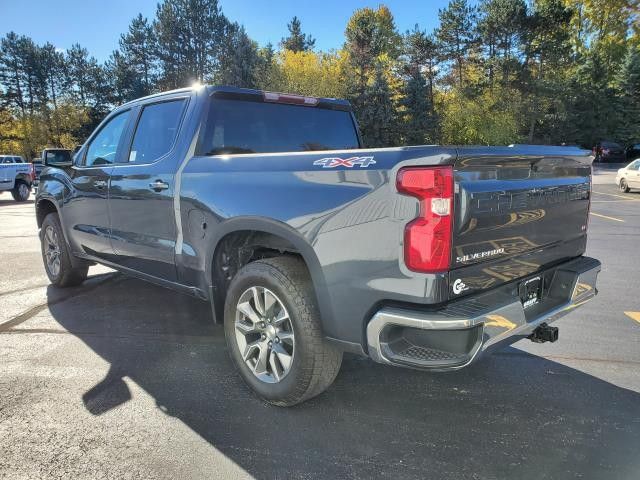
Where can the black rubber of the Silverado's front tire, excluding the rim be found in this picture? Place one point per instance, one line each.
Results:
(67, 276)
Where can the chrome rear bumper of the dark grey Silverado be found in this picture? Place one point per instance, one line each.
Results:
(454, 336)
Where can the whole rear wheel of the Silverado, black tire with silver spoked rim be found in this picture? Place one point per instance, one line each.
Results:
(273, 333)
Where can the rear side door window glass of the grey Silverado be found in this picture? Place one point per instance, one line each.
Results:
(156, 131)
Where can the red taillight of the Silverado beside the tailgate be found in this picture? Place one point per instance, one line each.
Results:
(427, 239)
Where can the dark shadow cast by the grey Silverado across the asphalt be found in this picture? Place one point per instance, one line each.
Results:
(513, 415)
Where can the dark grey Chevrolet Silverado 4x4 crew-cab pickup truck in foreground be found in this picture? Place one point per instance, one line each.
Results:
(308, 245)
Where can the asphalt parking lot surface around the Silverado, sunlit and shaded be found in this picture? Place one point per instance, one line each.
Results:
(122, 379)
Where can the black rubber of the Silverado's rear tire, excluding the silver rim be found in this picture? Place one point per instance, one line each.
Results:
(315, 362)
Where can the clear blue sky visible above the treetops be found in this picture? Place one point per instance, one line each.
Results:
(97, 24)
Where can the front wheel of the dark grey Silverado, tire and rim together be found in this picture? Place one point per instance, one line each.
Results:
(56, 255)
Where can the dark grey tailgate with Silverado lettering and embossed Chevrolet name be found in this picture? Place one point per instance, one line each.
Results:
(516, 215)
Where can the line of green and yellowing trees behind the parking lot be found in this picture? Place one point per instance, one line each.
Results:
(492, 72)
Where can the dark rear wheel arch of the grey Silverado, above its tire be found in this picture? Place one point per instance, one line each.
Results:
(261, 236)
